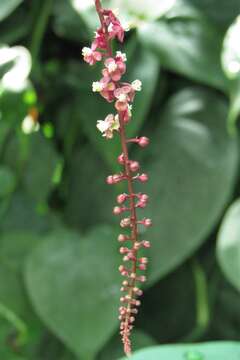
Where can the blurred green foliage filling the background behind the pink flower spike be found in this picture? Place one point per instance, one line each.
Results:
(59, 284)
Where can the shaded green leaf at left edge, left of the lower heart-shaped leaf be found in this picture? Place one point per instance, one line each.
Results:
(14, 303)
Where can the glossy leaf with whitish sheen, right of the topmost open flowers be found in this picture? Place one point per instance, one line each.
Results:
(187, 46)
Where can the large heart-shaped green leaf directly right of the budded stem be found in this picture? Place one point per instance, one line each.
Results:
(190, 152)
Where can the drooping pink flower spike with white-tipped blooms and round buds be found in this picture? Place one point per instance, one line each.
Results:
(122, 94)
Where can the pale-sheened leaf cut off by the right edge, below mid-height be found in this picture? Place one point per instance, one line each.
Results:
(228, 244)
